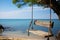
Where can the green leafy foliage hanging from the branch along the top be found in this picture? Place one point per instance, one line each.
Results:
(20, 3)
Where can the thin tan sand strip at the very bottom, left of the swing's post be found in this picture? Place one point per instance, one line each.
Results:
(17, 38)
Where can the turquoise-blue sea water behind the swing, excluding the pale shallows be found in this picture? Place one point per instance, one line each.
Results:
(23, 25)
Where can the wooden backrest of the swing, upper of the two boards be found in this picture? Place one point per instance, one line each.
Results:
(44, 23)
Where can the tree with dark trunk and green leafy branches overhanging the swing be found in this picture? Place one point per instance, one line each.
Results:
(55, 4)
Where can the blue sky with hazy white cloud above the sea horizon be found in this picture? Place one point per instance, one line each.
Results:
(10, 11)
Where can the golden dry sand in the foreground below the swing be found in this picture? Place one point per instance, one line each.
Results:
(19, 38)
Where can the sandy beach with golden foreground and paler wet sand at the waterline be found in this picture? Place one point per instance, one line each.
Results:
(12, 36)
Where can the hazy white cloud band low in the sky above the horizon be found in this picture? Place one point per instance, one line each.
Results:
(25, 13)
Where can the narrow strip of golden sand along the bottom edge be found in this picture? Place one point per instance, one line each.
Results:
(23, 38)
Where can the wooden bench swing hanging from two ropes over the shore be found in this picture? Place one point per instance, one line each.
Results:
(47, 24)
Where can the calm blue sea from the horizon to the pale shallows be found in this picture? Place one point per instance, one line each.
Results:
(20, 26)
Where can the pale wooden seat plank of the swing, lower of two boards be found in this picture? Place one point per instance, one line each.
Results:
(41, 33)
